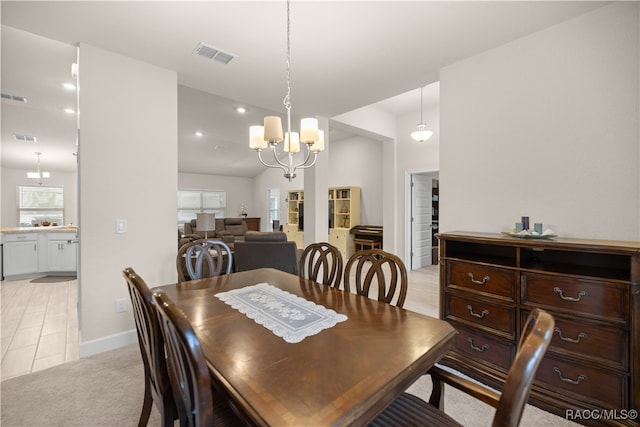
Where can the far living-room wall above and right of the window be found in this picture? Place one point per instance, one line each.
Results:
(239, 190)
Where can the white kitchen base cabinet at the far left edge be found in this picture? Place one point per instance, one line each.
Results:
(20, 254)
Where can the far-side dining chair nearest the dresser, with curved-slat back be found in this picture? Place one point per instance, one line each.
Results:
(380, 267)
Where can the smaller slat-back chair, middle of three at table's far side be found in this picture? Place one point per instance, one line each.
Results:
(321, 260)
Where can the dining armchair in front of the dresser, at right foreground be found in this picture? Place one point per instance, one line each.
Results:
(411, 410)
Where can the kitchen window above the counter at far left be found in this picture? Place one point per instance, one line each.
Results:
(40, 204)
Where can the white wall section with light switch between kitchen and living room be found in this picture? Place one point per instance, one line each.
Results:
(128, 170)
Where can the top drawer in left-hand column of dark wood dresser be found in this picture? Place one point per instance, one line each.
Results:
(478, 278)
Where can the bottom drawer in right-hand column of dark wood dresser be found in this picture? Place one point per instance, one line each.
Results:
(584, 381)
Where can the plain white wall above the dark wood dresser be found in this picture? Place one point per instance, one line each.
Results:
(547, 126)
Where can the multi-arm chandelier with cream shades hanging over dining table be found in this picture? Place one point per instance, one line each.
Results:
(270, 134)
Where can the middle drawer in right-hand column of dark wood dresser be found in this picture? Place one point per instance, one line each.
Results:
(584, 340)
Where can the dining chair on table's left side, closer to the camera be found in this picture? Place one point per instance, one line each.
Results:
(188, 371)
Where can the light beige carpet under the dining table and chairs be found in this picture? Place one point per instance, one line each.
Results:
(107, 390)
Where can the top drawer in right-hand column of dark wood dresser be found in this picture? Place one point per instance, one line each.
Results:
(593, 299)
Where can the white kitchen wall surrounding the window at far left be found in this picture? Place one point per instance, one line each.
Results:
(11, 178)
